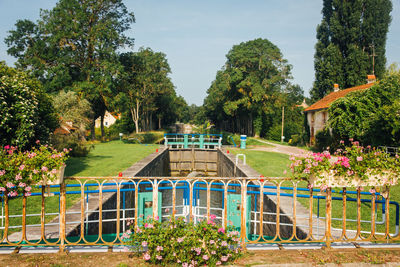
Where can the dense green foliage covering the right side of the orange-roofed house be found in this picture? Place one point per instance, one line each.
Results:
(371, 116)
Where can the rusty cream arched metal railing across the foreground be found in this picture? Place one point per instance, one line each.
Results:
(104, 206)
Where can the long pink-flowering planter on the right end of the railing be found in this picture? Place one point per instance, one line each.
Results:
(355, 165)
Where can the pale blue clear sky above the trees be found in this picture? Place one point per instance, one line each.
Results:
(196, 35)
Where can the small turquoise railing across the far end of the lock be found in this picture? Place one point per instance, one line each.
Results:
(202, 141)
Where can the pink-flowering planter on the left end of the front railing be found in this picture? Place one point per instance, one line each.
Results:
(20, 170)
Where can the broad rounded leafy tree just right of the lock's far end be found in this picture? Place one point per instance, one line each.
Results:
(247, 91)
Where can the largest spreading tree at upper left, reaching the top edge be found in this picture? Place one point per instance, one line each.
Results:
(73, 46)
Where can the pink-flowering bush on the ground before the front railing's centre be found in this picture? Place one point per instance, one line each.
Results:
(186, 244)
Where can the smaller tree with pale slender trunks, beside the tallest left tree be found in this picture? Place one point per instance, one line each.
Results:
(144, 87)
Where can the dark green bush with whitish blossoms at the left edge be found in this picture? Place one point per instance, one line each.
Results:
(26, 111)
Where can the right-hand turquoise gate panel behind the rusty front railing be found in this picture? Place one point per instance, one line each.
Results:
(233, 205)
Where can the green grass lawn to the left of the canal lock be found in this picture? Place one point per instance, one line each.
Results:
(106, 159)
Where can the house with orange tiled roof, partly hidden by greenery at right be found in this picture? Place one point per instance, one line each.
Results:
(317, 113)
